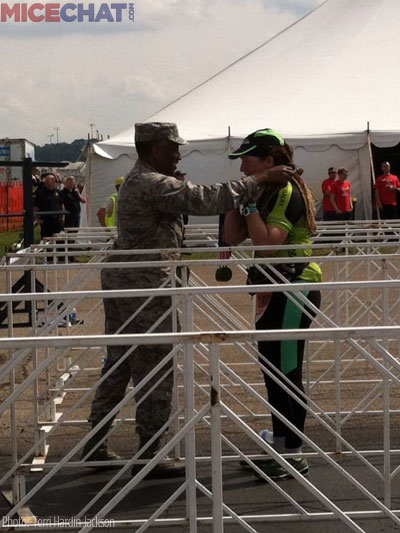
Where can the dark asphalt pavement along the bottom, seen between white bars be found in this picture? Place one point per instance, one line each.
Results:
(71, 489)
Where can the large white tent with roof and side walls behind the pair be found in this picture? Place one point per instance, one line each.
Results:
(319, 83)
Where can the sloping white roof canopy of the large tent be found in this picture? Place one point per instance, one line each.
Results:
(329, 73)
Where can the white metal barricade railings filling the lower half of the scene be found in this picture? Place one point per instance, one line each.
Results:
(50, 370)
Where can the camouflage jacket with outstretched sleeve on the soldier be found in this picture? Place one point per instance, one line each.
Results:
(151, 205)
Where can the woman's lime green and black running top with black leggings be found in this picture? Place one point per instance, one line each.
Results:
(286, 209)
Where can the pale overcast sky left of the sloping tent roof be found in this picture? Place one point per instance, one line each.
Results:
(112, 74)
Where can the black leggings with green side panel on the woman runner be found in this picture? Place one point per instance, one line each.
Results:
(286, 356)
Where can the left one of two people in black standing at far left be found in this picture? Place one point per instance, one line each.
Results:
(48, 198)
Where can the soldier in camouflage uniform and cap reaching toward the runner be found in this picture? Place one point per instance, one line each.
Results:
(150, 207)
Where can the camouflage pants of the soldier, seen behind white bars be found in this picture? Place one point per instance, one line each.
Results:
(155, 410)
